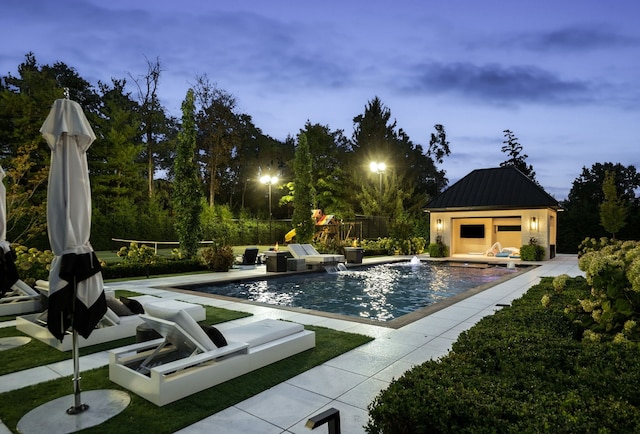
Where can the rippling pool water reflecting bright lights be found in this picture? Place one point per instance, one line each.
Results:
(379, 292)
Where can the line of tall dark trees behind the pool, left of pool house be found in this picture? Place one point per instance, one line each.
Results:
(132, 166)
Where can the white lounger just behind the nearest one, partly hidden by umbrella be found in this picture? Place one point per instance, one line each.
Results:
(110, 328)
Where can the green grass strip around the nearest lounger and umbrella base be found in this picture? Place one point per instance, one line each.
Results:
(144, 416)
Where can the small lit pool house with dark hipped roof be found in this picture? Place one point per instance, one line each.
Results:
(492, 211)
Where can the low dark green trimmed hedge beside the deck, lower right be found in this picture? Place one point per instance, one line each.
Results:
(522, 370)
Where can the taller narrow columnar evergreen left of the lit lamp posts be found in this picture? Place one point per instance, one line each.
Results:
(187, 197)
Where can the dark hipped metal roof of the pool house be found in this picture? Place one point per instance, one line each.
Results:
(497, 188)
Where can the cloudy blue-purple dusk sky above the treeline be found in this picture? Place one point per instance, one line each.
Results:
(561, 75)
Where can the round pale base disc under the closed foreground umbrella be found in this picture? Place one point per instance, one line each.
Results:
(54, 416)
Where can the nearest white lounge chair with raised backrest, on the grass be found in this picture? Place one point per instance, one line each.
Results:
(186, 360)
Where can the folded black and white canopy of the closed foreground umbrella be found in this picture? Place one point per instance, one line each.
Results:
(76, 289)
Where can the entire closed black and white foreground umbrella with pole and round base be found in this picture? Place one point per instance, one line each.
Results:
(76, 290)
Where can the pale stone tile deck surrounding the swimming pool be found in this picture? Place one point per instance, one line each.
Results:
(348, 382)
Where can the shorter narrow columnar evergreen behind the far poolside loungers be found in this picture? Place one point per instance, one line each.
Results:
(304, 192)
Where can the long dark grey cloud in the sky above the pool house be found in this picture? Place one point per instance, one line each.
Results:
(496, 83)
